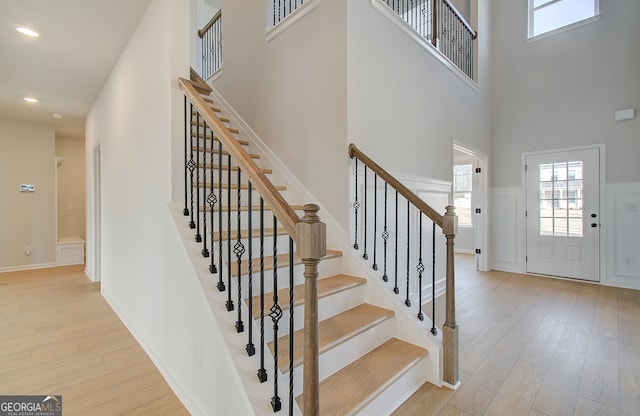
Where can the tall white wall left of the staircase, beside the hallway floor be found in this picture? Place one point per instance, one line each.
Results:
(146, 275)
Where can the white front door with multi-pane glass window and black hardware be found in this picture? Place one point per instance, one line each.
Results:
(563, 213)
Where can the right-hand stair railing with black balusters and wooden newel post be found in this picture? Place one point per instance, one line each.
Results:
(410, 253)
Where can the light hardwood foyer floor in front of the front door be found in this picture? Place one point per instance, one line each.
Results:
(539, 346)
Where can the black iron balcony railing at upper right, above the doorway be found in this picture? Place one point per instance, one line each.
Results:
(442, 25)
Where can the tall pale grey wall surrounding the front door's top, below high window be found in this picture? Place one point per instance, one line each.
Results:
(563, 90)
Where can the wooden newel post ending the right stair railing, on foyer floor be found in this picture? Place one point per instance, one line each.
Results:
(450, 329)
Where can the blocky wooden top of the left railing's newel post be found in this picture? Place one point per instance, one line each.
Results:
(312, 234)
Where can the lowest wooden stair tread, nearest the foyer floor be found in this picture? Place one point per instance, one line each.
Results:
(349, 390)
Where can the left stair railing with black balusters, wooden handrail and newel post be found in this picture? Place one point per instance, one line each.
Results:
(221, 184)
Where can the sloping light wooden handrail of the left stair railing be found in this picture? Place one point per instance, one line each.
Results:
(285, 214)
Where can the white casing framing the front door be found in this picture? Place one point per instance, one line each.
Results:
(602, 201)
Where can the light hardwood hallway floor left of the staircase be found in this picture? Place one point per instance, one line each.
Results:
(59, 337)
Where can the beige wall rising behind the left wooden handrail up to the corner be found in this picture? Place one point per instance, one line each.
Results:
(292, 91)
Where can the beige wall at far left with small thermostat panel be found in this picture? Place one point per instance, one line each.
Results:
(27, 156)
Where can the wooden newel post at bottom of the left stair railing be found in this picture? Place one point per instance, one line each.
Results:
(311, 246)
